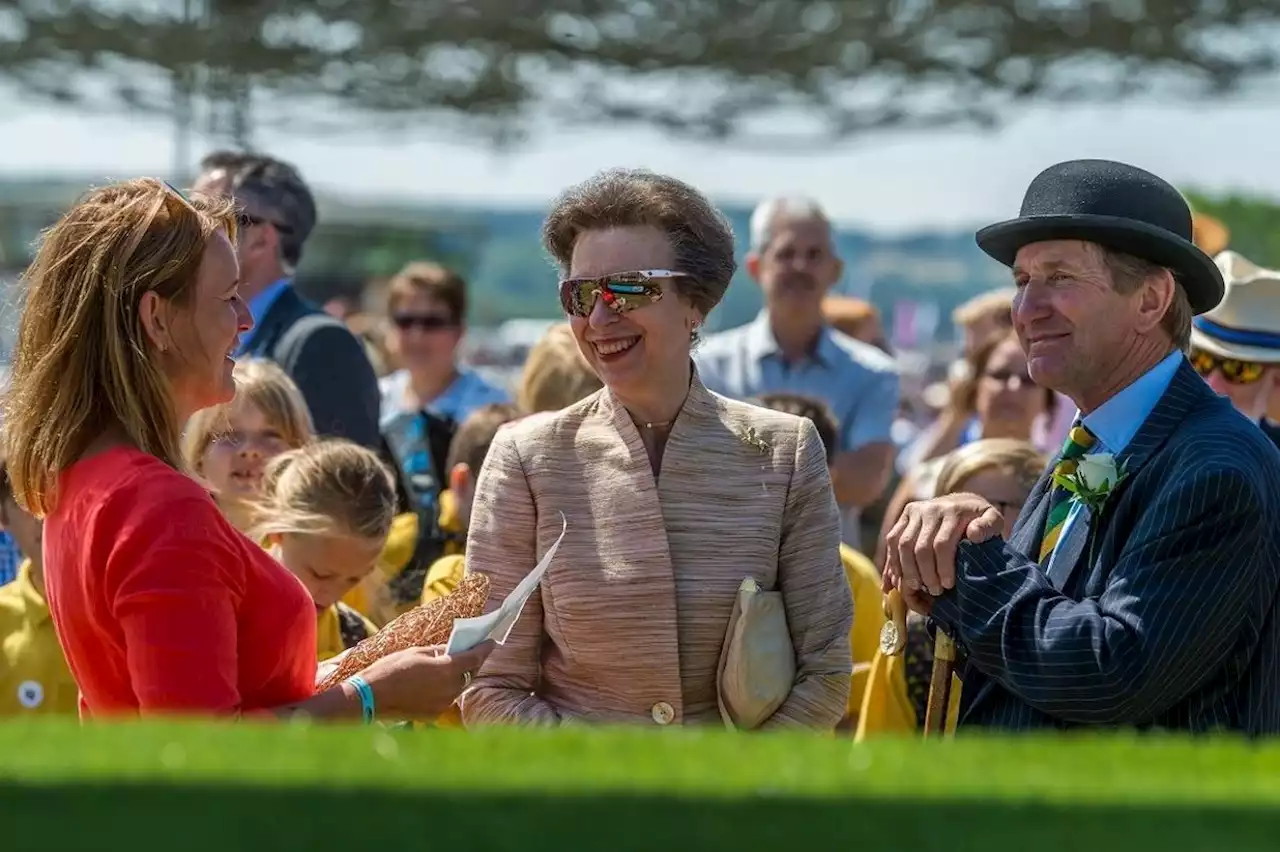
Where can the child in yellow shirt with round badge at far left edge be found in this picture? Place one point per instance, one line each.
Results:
(34, 675)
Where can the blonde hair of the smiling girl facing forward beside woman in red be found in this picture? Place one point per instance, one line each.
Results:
(268, 388)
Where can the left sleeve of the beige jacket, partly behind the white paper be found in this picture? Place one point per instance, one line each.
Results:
(504, 546)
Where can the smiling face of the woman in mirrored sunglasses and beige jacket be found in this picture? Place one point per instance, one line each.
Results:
(634, 350)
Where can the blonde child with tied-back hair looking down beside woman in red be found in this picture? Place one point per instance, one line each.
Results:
(324, 511)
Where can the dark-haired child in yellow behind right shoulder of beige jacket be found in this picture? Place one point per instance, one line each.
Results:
(865, 581)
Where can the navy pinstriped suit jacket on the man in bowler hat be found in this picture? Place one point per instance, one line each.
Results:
(1172, 625)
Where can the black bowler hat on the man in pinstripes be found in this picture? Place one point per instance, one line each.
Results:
(1118, 207)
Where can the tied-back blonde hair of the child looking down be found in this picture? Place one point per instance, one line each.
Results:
(328, 488)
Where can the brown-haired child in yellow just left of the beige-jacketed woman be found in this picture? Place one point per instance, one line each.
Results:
(468, 451)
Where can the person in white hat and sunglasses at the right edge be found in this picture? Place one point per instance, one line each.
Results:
(1237, 345)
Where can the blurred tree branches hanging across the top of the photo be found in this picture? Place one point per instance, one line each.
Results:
(723, 70)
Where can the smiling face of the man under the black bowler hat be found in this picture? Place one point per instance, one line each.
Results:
(1076, 329)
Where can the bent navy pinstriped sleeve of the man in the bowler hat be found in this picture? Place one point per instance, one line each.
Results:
(1171, 617)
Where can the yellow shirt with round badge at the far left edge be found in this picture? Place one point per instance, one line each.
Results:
(34, 675)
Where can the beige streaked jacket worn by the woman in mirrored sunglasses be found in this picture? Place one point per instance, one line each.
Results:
(633, 612)
